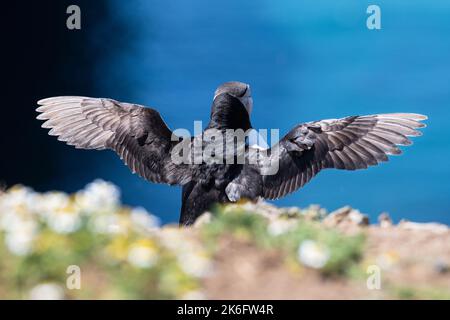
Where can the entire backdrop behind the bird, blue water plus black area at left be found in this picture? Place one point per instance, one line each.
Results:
(305, 60)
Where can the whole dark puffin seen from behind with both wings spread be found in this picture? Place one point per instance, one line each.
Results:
(145, 143)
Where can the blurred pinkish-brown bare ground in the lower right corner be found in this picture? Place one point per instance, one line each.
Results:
(414, 262)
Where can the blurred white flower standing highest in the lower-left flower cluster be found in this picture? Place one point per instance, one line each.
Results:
(98, 196)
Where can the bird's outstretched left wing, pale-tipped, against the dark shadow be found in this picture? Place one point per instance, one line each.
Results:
(137, 134)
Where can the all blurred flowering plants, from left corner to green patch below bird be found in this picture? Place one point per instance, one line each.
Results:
(123, 253)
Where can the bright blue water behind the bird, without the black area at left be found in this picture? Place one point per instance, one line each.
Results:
(305, 60)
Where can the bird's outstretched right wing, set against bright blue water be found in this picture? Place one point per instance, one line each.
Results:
(350, 143)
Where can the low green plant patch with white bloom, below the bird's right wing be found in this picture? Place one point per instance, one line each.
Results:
(297, 233)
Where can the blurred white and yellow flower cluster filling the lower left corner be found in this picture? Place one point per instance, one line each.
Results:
(121, 252)
